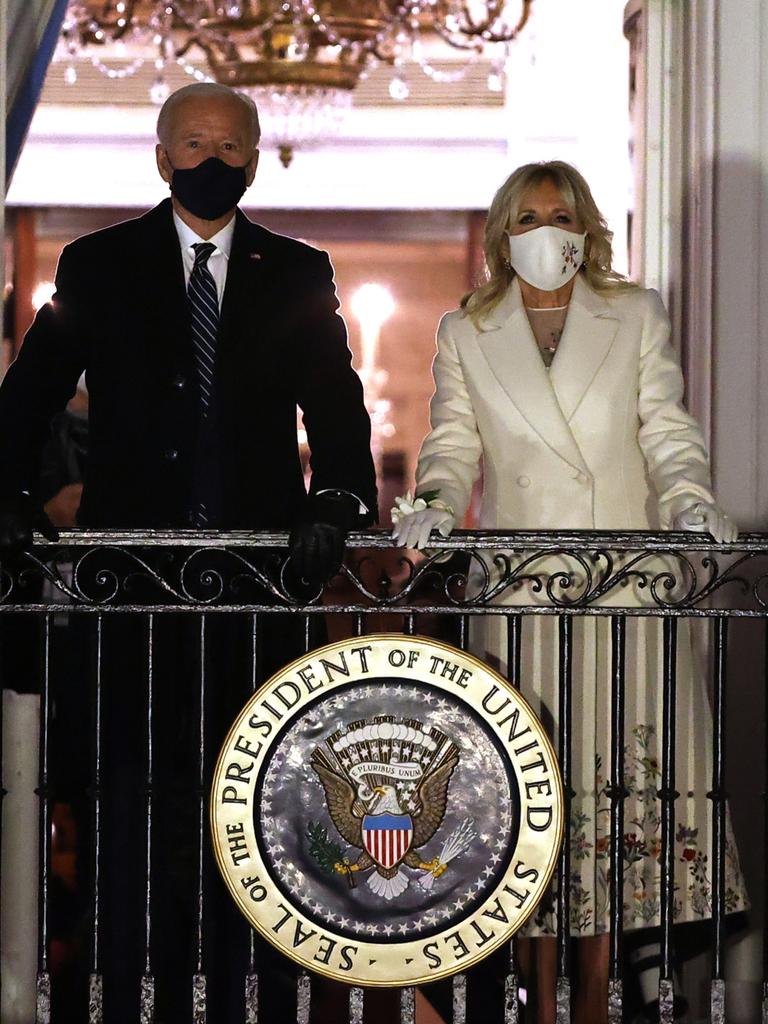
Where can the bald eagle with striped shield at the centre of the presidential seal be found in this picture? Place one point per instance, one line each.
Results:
(387, 785)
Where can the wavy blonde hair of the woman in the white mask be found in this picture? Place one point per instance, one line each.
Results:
(598, 269)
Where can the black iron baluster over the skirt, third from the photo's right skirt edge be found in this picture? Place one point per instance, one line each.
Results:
(618, 794)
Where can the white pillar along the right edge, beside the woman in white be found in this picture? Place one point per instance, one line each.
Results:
(705, 245)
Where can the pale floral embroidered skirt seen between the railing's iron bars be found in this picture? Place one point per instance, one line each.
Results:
(590, 816)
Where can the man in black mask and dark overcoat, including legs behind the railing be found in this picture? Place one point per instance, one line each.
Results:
(200, 333)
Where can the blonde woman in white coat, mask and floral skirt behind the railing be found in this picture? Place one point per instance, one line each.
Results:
(558, 380)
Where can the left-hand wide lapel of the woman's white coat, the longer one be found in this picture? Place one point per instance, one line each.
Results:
(511, 352)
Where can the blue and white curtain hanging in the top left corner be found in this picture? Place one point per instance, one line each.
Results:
(33, 28)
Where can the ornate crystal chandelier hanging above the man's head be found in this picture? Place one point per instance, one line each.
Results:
(300, 60)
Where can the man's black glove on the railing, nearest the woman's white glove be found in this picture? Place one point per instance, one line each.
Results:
(318, 540)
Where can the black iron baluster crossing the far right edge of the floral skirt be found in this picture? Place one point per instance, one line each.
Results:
(717, 998)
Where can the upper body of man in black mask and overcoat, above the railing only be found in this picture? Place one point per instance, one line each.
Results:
(122, 314)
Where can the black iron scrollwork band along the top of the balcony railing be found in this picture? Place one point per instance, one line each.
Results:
(544, 573)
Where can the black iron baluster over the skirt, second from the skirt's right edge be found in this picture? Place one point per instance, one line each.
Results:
(668, 796)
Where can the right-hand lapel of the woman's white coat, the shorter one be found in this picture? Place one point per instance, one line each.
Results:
(590, 330)
